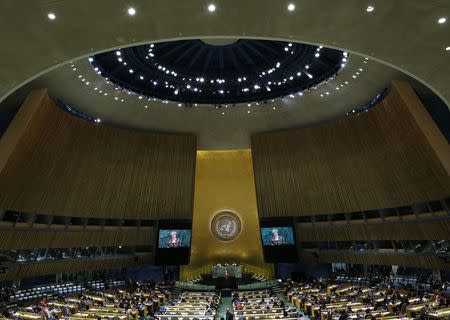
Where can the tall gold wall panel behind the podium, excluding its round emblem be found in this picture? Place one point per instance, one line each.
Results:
(224, 181)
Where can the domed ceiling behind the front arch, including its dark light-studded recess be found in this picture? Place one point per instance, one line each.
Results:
(101, 88)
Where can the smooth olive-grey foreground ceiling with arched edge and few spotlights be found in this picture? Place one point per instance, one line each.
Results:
(393, 32)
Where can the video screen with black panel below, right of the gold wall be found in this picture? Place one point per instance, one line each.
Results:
(278, 240)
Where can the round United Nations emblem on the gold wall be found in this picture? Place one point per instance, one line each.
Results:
(226, 225)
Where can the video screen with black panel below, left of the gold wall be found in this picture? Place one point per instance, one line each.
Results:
(173, 242)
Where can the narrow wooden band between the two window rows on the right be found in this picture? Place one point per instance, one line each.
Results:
(423, 230)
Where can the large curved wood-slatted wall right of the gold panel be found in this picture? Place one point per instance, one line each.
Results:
(390, 156)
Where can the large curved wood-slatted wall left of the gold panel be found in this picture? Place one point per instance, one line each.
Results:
(60, 164)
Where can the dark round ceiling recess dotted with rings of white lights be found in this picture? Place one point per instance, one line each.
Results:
(193, 71)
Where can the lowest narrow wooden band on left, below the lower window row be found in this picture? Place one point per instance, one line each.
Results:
(27, 270)
